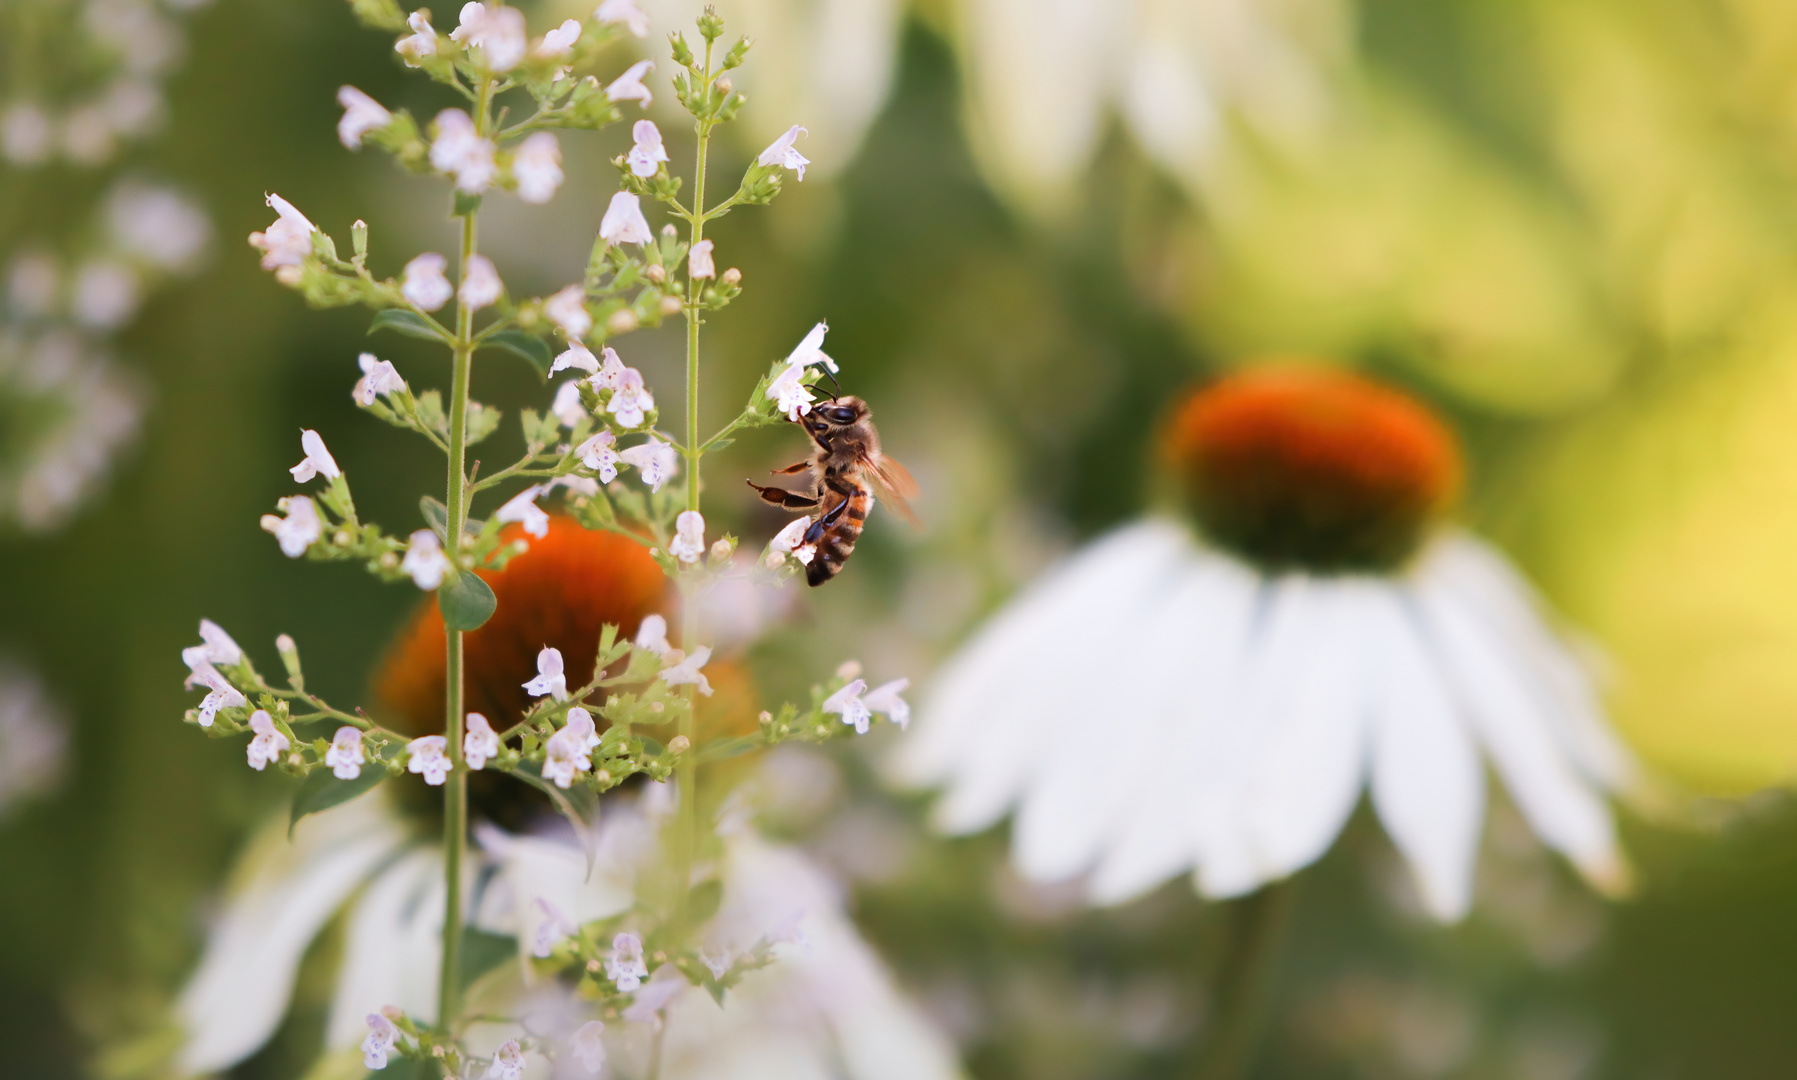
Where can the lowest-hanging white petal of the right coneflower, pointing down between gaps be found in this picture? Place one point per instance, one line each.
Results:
(1428, 779)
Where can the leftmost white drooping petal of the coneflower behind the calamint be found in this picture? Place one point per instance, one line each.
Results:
(287, 894)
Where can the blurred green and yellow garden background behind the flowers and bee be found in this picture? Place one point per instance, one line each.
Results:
(1573, 227)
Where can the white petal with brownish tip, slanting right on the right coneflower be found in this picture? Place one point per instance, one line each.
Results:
(1518, 732)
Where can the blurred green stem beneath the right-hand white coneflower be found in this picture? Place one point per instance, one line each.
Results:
(1244, 984)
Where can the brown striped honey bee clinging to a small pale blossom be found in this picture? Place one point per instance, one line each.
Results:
(845, 472)
